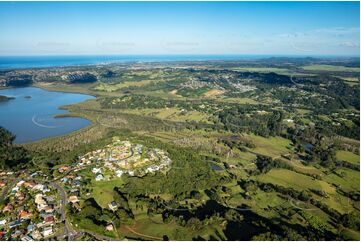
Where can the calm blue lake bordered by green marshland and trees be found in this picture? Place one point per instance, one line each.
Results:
(30, 116)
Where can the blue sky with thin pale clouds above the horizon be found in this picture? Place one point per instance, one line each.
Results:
(176, 28)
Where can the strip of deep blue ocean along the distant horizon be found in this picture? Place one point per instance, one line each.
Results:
(15, 62)
